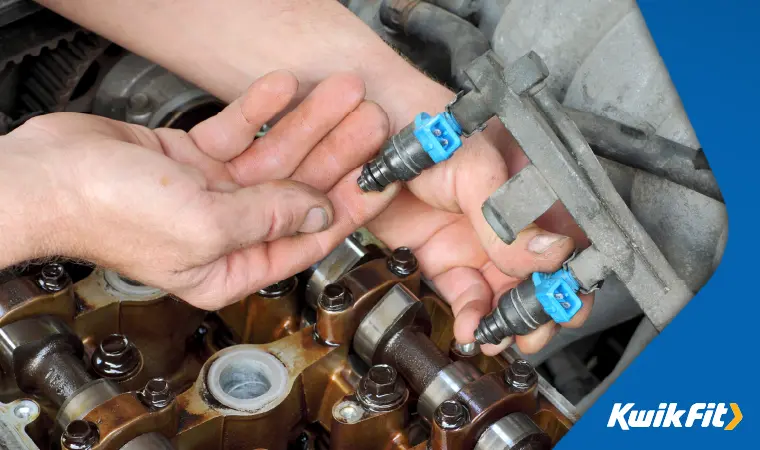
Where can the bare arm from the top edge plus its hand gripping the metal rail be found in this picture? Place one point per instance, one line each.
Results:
(439, 216)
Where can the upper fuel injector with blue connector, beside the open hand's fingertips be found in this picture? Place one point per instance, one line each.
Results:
(427, 141)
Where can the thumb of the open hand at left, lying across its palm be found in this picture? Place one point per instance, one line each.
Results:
(269, 211)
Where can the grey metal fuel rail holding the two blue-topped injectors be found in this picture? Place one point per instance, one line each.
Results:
(563, 167)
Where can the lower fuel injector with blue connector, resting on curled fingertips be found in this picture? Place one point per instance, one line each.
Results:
(534, 302)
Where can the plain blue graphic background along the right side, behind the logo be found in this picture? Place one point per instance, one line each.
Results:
(710, 352)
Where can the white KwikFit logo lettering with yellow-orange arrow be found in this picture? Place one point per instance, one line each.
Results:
(669, 415)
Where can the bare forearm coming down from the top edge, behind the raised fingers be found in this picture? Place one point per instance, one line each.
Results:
(224, 45)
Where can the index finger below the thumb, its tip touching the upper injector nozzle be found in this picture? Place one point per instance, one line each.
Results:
(247, 270)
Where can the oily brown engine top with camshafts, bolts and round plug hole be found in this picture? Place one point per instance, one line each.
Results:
(357, 353)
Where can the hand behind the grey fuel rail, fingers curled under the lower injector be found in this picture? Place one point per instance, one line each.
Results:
(440, 218)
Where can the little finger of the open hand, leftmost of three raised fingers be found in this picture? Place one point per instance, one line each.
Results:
(229, 133)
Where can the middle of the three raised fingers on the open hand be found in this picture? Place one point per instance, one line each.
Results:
(278, 154)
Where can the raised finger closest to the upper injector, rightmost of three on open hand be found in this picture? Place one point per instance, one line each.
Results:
(346, 147)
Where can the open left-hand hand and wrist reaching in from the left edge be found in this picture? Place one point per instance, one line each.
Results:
(210, 215)
